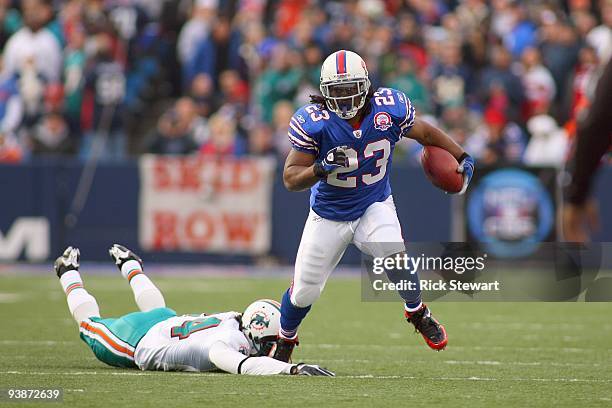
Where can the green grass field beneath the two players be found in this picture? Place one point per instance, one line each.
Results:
(499, 354)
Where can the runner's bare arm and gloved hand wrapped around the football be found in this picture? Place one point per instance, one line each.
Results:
(429, 135)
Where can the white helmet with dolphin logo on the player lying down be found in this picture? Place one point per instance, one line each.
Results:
(260, 324)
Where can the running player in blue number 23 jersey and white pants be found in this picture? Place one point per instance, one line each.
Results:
(342, 149)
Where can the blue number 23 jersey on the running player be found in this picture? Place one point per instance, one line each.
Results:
(346, 193)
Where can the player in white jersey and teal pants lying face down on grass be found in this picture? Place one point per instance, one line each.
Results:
(155, 338)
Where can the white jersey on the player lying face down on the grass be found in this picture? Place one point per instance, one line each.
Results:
(182, 343)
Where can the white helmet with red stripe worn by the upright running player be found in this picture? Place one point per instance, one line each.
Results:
(344, 83)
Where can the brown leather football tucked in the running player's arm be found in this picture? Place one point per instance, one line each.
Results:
(441, 169)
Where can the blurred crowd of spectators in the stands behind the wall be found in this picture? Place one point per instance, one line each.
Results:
(117, 78)
